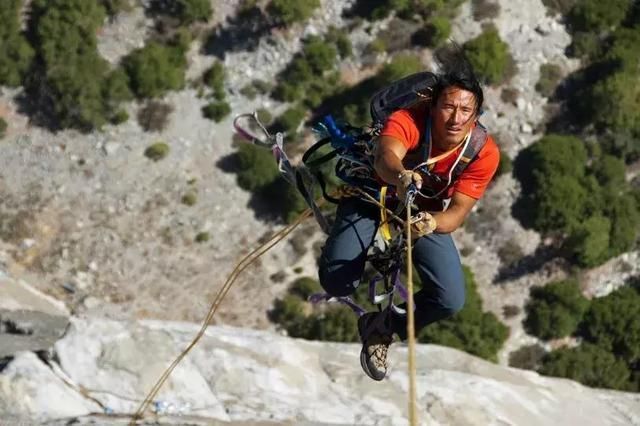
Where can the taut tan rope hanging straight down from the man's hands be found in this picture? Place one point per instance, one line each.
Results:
(413, 412)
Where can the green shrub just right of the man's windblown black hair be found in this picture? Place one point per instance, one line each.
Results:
(490, 57)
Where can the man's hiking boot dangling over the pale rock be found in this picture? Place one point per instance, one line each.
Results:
(376, 338)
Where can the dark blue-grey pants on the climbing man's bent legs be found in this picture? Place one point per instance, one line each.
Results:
(435, 257)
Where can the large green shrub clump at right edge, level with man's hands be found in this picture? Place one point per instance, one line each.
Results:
(590, 209)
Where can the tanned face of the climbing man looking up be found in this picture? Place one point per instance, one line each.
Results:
(453, 116)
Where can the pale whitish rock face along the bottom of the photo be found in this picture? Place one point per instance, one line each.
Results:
(242, 376)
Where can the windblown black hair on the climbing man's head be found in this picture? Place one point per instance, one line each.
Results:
(456, 70)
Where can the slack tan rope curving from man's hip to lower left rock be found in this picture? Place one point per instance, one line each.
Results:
(242, 265)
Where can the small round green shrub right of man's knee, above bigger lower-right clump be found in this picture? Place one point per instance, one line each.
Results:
(555, 310)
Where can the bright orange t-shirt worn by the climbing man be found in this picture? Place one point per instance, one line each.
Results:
(409, 125)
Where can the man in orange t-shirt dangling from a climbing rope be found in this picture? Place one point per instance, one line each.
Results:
(448, 120)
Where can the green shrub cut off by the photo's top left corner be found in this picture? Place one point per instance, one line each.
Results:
(15, 52)
